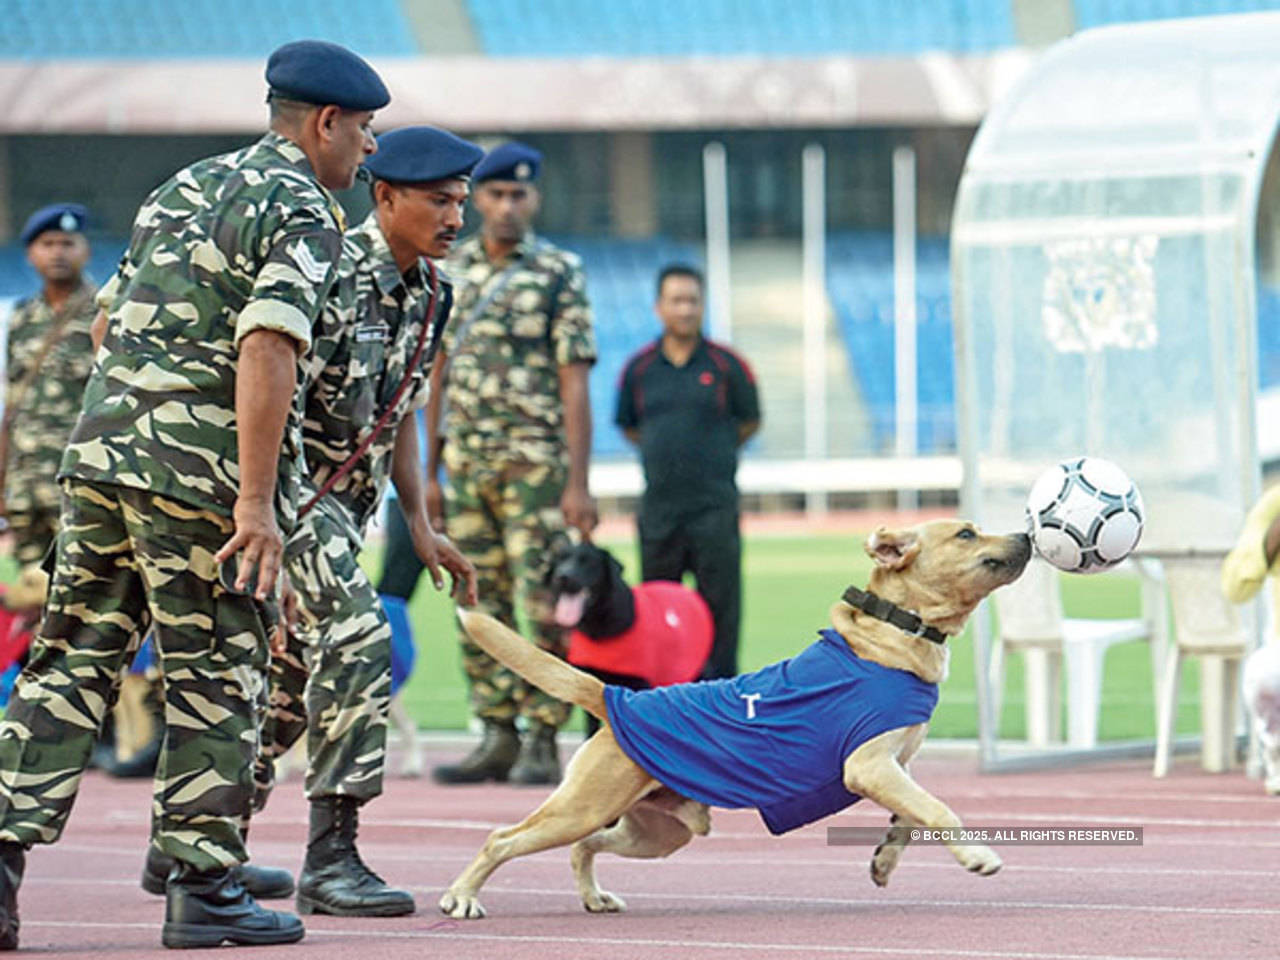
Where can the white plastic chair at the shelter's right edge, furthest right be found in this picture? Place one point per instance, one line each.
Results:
(1208, 627)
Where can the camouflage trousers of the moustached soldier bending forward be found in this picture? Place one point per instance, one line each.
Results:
(335, 683)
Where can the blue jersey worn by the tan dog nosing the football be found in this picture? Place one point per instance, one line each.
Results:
(776, 739)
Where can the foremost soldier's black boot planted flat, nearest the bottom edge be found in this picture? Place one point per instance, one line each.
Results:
(208, 909)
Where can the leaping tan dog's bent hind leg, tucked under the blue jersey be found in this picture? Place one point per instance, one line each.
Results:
(647, 831)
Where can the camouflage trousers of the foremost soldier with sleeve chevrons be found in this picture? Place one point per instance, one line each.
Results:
(129, 561)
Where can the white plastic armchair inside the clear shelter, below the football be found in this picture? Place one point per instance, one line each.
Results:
(1032, 623)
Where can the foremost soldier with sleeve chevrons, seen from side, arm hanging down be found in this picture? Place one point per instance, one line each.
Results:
(190, 454)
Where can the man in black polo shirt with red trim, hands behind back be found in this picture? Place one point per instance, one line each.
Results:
(689, 405)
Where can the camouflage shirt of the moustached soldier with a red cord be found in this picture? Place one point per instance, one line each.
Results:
(364, 345)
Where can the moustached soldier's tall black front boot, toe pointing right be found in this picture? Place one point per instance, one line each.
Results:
(335, 880)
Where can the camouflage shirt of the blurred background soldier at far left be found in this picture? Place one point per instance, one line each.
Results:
(44, 412)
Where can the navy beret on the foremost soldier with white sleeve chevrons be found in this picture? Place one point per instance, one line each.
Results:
(318, 72)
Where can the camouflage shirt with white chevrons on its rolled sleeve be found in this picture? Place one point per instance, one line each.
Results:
(231, 245)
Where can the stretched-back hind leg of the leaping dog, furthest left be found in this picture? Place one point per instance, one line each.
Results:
(601, 784)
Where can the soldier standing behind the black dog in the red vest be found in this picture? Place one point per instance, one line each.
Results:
(516, 438)
